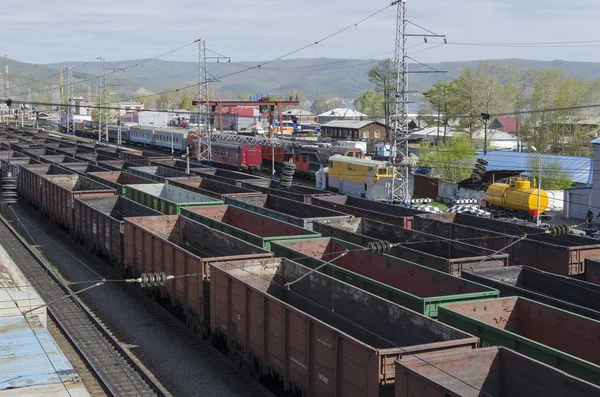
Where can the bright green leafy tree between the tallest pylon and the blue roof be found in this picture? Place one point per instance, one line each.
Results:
(452, 160)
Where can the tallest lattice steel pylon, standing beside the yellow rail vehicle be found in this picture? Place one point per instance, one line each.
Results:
(398, 189)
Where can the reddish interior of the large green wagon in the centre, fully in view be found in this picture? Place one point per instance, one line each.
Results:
(406, 276)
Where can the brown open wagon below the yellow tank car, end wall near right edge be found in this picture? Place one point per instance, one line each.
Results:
(560, 255)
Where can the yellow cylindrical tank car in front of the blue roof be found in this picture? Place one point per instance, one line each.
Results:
(517, 195)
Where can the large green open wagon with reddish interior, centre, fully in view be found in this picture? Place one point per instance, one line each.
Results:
(416, 287)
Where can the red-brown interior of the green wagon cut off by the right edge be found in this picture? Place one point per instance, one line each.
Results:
(562, 330)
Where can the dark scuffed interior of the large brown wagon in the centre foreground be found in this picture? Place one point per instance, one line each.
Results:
(368, 318)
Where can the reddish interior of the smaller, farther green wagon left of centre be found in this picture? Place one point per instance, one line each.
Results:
(251, 222)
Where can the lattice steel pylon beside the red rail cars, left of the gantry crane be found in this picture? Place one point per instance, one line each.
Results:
(204, 144)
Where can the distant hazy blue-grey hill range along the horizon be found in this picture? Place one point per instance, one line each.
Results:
(346, 78)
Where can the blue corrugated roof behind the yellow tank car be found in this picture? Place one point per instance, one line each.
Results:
(580, 169)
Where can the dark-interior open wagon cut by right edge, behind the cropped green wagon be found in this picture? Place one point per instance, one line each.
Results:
(564, 292)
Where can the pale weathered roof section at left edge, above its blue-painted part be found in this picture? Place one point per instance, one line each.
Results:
(16, 295)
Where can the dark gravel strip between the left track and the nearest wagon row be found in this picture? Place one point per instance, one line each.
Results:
(181, 369)
